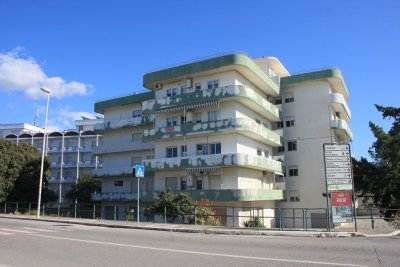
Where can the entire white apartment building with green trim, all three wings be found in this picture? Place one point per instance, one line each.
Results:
(243, 133)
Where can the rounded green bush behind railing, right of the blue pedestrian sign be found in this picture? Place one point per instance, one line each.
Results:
(175, 206)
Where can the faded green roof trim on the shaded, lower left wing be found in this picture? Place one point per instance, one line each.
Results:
(100, 106)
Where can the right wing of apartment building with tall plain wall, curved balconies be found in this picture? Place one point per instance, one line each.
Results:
(314, 112)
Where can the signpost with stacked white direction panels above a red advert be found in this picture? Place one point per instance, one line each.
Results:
(339, 182)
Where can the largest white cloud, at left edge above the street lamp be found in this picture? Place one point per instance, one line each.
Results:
(21, 73)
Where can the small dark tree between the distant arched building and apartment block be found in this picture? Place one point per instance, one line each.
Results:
(83, 189)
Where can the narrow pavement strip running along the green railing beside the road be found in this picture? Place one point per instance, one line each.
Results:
(363, 229)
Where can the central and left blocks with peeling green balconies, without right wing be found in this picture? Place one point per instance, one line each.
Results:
(211, 135)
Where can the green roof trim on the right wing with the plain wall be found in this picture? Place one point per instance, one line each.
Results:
(333, 75)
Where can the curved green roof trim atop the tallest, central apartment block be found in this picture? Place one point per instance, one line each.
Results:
(240, 60)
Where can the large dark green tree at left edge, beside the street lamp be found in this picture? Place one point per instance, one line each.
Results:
(20, 171)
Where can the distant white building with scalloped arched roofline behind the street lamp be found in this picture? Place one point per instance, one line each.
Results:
(69, 152)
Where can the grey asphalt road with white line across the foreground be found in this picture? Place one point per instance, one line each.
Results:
(40, 243)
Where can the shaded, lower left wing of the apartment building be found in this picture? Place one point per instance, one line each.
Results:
(121, 149)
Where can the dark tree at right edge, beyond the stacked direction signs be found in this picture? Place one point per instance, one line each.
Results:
(380, 179)
